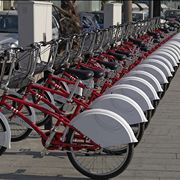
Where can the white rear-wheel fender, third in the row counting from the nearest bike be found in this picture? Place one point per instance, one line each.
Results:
(134, 93)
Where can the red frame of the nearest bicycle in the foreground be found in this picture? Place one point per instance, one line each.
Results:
(58, 140)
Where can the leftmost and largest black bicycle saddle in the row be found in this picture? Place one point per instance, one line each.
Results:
(80, 73)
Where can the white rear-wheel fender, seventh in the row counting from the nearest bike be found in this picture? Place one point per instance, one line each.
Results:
(160, 65)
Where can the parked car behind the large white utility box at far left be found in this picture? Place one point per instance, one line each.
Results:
(9, 28)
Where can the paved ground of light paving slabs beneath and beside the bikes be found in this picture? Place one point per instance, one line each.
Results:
(157, 157)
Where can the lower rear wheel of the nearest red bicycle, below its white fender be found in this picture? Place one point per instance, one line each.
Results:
(102, 164)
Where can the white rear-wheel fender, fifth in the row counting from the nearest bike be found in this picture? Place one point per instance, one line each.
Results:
(148, 77)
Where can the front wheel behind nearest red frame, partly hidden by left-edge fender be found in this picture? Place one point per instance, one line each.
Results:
(19, 131)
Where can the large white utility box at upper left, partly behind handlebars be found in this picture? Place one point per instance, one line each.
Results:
(35, 24)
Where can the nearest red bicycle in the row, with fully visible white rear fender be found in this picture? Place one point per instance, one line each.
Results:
(76, 144)
